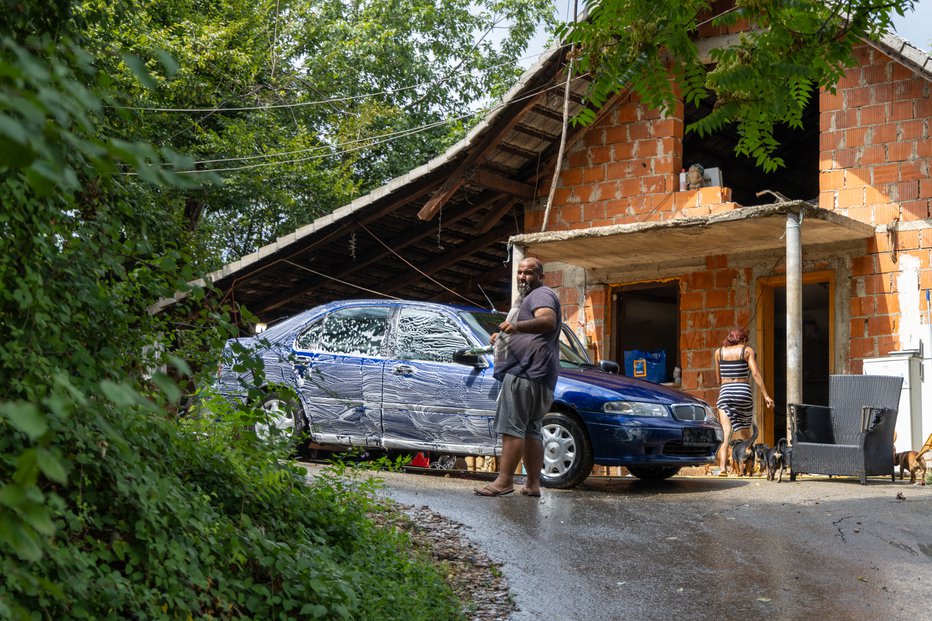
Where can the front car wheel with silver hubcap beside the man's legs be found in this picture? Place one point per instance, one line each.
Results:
(567, 451)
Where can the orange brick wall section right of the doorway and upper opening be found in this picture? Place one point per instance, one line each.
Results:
(875, 158)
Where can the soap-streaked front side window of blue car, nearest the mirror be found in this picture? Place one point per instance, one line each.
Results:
(427, 335)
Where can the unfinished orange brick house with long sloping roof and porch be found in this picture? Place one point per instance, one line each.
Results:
(827, 262)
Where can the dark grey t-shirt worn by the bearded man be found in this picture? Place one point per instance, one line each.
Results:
(533, 356)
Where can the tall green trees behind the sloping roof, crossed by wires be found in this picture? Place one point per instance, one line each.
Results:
(299, 105)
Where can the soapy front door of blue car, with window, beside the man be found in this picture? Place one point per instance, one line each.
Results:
(430, 402)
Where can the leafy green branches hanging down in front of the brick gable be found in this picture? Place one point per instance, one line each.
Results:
(789, 50)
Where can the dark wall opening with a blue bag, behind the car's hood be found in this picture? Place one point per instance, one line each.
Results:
(647, 319)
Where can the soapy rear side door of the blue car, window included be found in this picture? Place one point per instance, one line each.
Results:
(338, 364)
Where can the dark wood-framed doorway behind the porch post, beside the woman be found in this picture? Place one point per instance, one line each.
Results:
(818, 294)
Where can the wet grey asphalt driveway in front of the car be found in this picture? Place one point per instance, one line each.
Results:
(700, 547)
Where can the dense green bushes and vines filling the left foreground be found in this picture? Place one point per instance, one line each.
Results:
(111, 506)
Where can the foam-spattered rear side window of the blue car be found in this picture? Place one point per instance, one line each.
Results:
(358, 331)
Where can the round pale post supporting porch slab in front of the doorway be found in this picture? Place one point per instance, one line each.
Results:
(794, 313)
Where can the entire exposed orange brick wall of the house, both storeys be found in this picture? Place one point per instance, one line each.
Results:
(875, 165)
